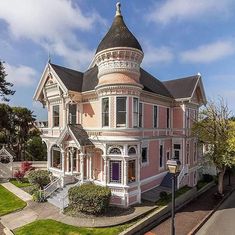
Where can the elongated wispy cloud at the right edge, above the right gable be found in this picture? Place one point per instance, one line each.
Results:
(208, 53)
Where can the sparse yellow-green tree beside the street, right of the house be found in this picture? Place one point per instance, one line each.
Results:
(215, 129)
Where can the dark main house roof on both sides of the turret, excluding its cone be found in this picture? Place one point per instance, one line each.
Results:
(77, 81)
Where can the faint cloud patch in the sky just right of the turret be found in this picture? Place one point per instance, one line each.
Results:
(156, 55)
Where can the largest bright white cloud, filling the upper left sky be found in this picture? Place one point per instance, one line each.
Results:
(52, 24)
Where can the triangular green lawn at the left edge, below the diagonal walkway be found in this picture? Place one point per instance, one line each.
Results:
(9, 202)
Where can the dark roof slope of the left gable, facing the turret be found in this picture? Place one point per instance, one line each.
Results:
(72, 79)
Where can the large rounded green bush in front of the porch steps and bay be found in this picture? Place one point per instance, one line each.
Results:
(90, 198)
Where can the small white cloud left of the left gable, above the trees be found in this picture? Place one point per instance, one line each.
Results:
(21, 76)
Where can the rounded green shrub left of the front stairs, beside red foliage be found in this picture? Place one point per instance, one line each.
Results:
(39, 177)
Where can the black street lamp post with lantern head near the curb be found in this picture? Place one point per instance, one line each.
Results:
(174, 168)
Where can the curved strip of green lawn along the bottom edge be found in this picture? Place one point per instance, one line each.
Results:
(53, 227)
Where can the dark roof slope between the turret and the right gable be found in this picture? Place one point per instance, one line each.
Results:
(152, 84)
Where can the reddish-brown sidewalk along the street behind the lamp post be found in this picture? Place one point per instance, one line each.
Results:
(189, 217)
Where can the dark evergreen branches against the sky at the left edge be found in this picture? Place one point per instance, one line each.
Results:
(5, 87)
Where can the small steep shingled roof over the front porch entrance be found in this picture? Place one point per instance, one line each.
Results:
(80, 134)
